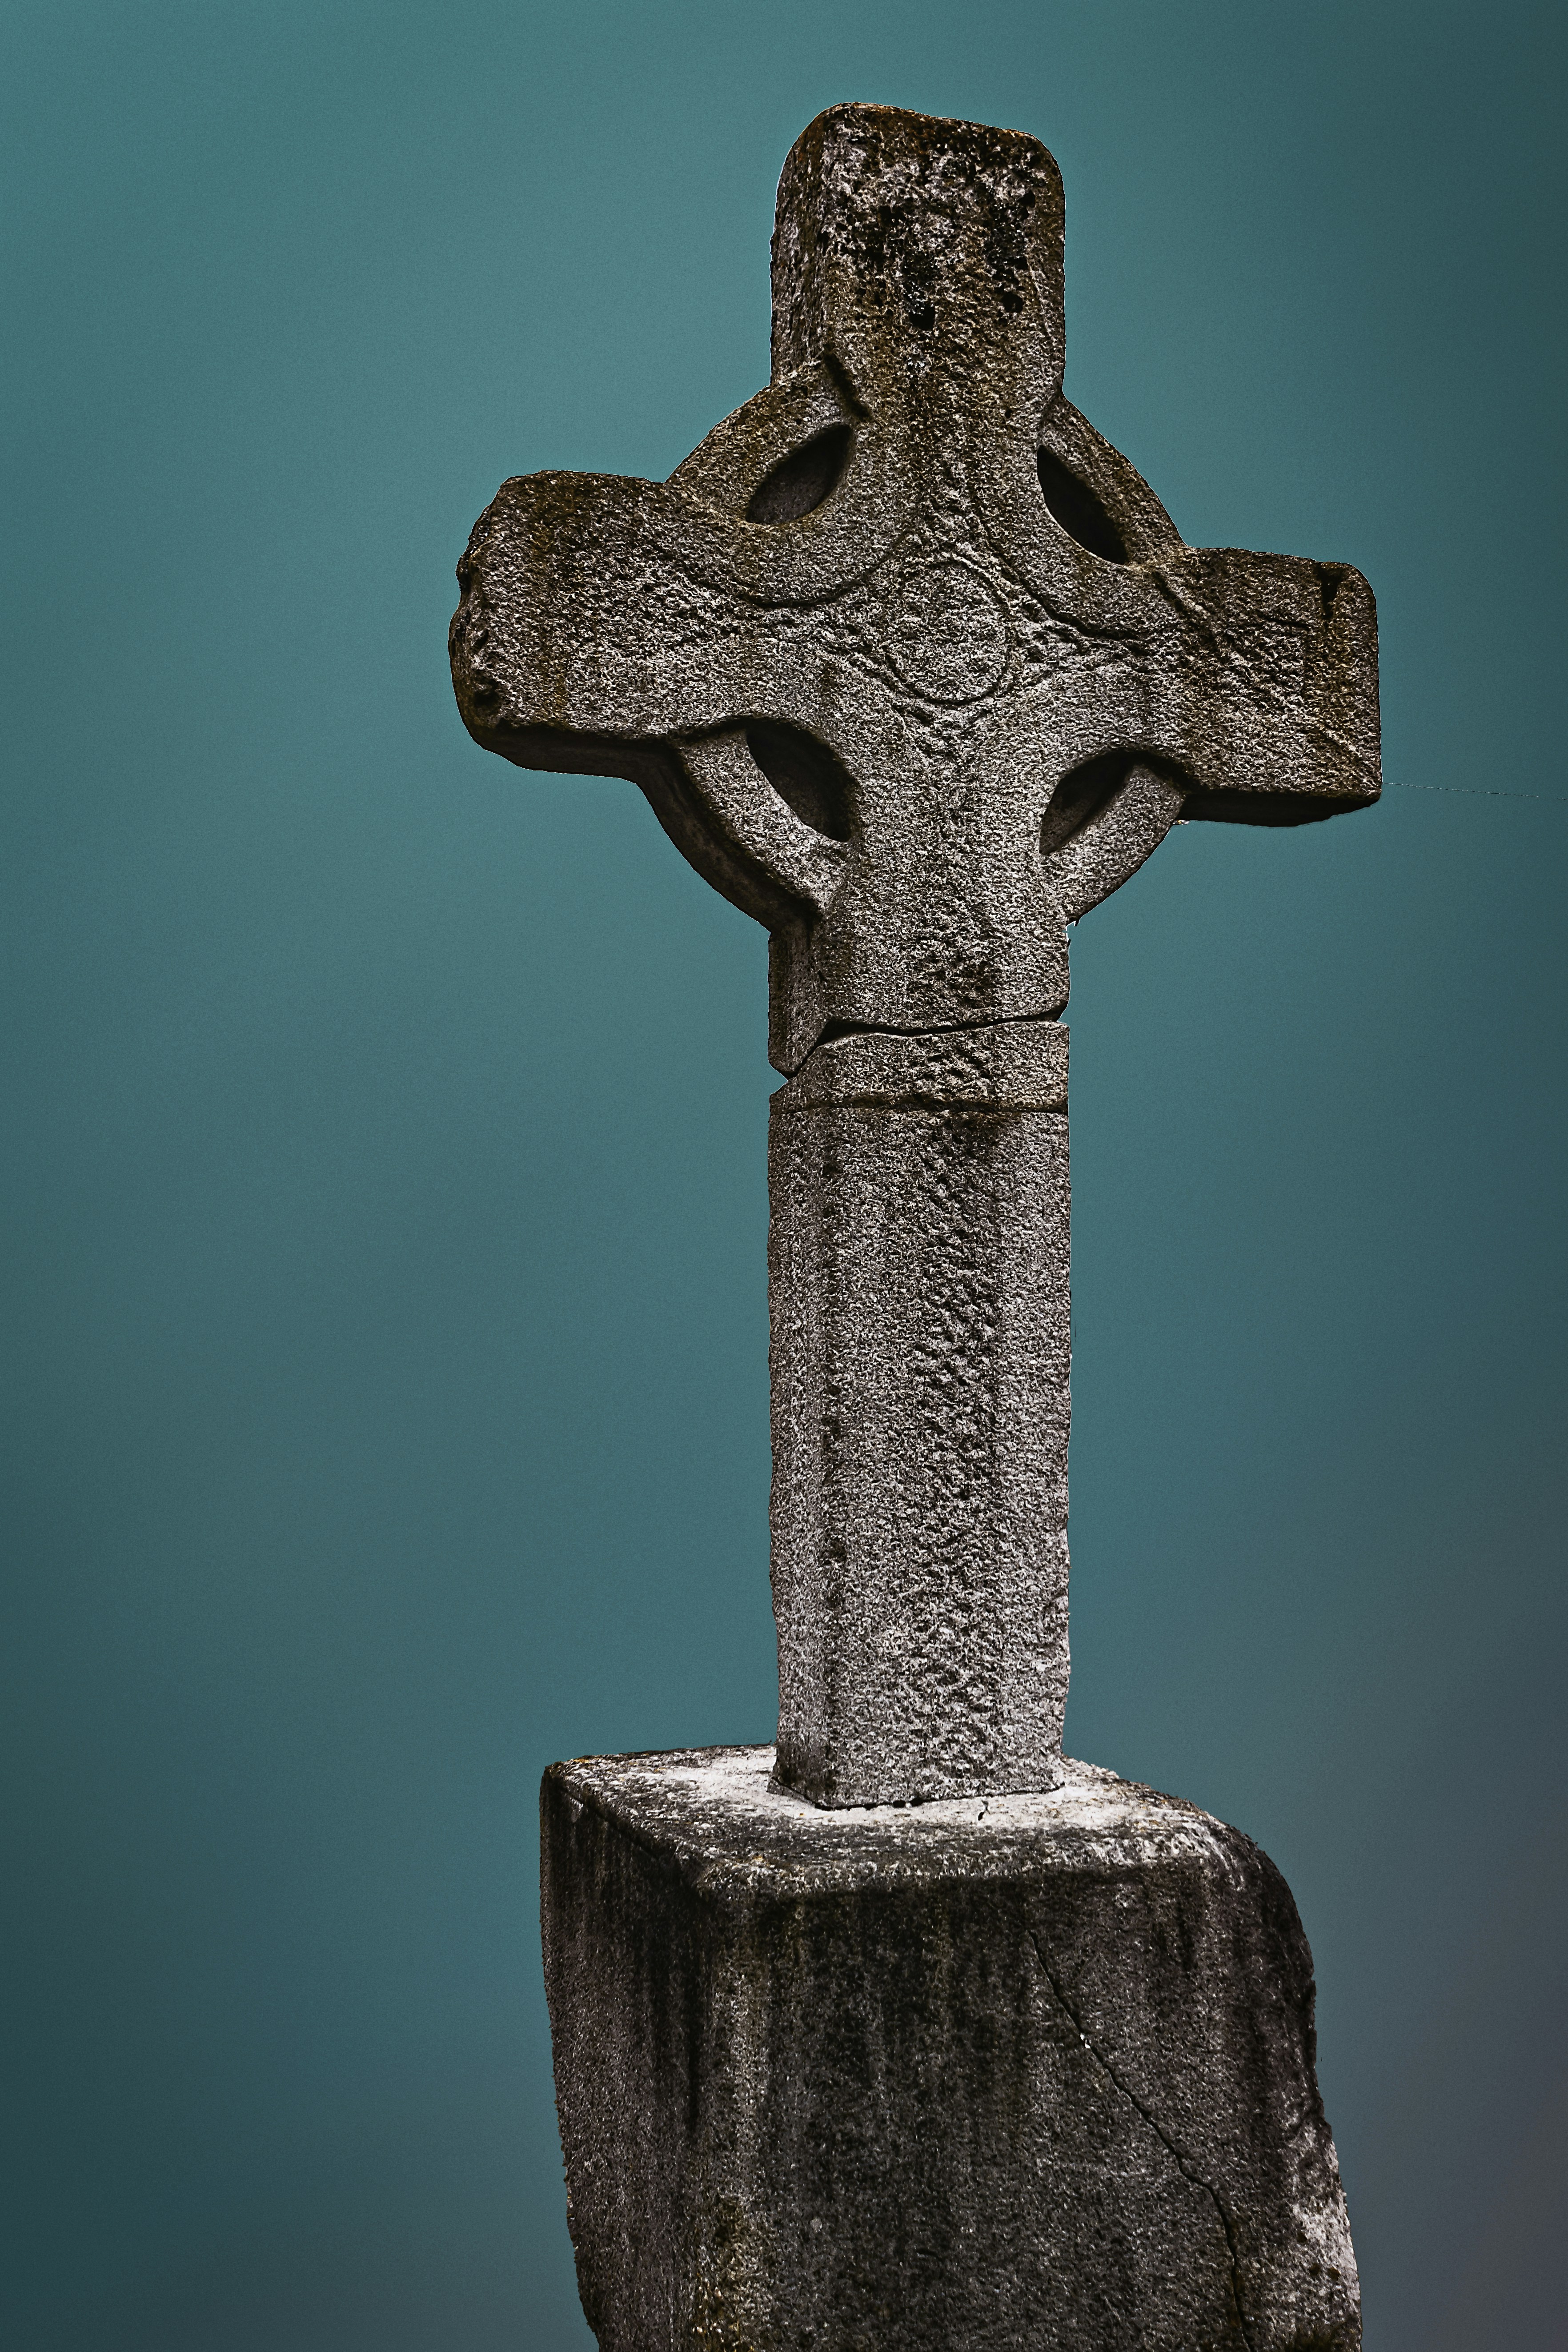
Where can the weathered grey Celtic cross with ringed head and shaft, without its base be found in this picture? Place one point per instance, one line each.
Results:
(916, 669)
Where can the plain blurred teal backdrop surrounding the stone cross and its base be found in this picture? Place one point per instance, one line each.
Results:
(384, 1227)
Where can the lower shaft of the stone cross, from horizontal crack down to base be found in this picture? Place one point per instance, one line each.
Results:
(918, 1276)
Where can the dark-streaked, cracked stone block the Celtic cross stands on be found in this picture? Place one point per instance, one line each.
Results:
(974, 2076)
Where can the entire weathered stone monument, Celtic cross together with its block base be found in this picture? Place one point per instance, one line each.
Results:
(916, 669)
